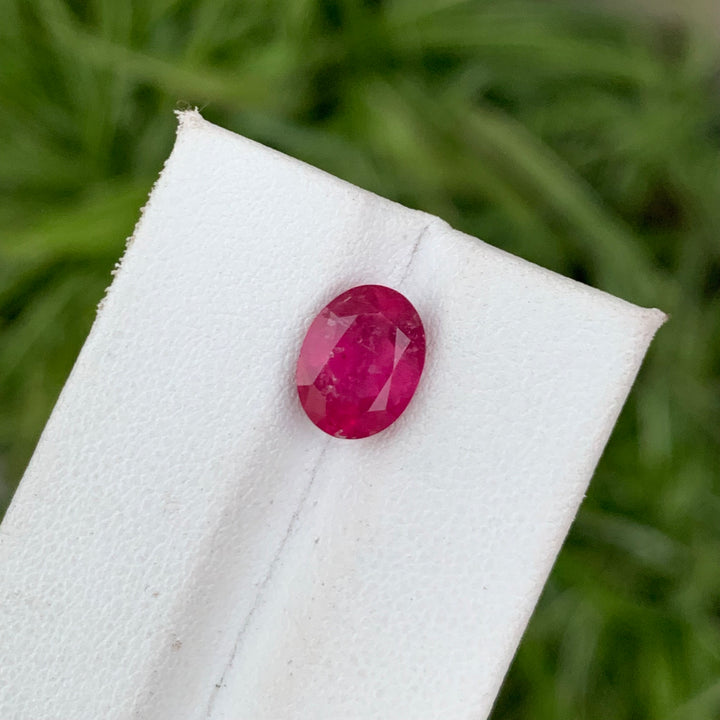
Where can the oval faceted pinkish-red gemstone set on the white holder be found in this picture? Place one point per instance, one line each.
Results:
(361, 361)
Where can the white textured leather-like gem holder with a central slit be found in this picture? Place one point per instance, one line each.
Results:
(186, 544)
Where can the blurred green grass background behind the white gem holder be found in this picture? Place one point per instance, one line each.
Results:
(583, 141)
